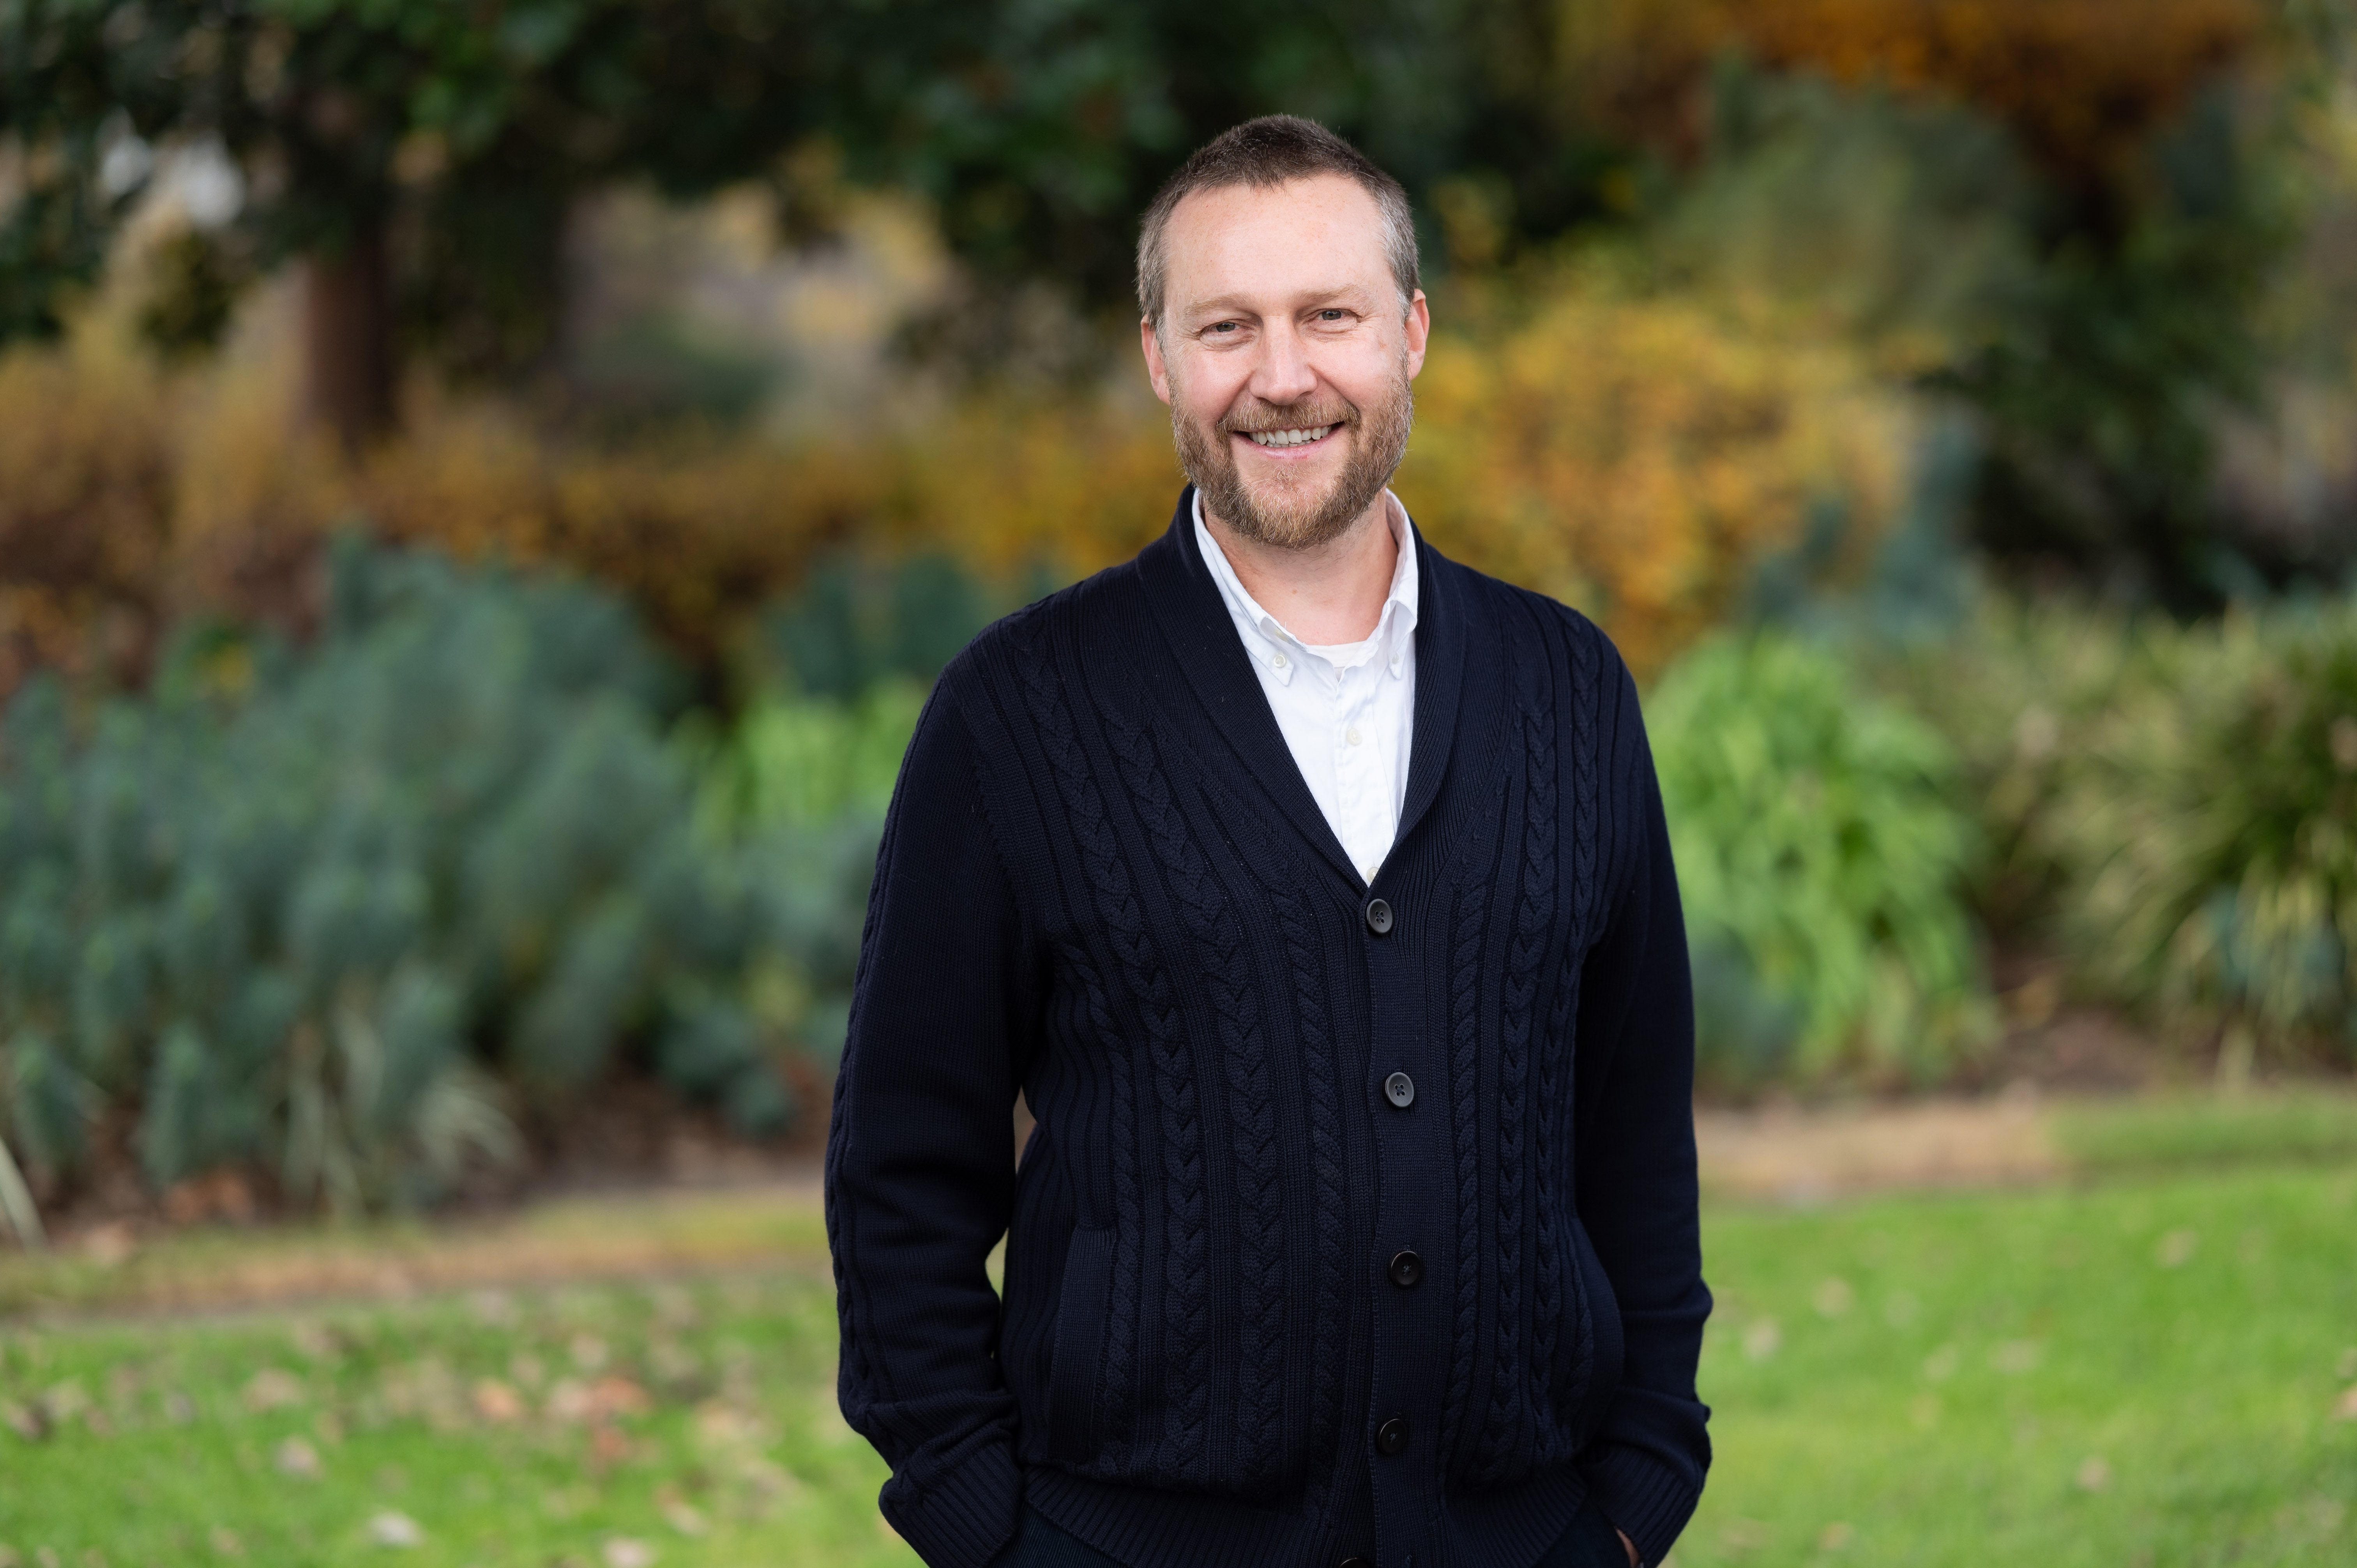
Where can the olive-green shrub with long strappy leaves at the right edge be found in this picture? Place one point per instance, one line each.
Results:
(2205, 831)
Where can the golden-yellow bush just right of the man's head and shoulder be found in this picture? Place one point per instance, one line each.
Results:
(1642, 454)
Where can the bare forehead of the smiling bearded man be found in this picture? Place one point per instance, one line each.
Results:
(1274, 242)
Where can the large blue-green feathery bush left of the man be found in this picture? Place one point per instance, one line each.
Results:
(322, 909)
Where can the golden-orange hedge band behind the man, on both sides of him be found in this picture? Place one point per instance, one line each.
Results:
(1630, 456)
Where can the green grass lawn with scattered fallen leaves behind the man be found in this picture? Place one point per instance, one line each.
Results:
(2144, 1371)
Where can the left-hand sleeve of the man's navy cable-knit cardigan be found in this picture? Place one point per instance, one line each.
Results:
(920, 1157)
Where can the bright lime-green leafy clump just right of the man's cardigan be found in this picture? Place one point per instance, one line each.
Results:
(1821, 864)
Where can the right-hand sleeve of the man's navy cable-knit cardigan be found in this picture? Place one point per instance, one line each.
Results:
(1637, 1159)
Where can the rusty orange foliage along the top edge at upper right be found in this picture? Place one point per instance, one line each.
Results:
(2080, 81)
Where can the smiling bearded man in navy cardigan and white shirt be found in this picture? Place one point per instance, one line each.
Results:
(1314, 892)
